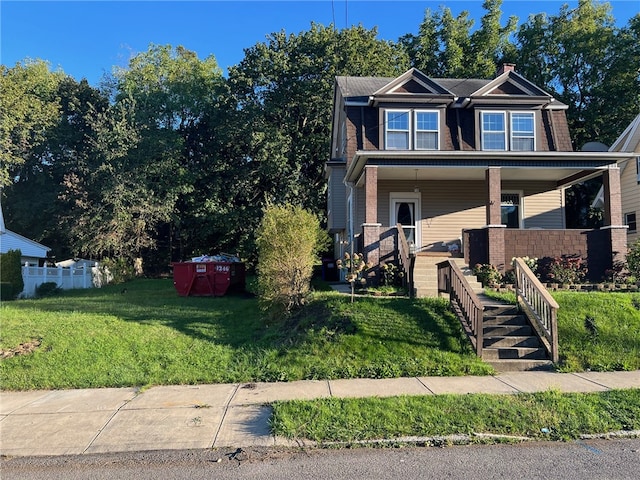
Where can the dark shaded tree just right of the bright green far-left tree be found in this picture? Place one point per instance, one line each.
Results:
(40, 200)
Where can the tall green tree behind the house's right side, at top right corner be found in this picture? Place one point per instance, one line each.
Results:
(581, 58)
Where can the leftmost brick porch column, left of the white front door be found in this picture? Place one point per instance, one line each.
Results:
(371, 227)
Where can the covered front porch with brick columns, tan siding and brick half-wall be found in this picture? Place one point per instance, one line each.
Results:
(470, 214)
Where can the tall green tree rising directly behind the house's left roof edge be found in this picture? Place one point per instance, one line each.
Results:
(284, 89)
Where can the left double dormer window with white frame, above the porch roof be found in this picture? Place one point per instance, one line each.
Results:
(412, 130)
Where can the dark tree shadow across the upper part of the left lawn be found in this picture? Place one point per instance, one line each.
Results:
(236, 320)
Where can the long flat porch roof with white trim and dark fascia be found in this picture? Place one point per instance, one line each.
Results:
(564, 168)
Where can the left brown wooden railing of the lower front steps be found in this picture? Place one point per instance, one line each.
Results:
(464, 300)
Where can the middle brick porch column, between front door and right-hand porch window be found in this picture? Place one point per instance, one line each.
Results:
(495, 229)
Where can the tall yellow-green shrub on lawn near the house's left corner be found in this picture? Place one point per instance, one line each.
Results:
(289, 239)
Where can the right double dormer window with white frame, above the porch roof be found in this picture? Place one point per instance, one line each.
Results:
(519, 136)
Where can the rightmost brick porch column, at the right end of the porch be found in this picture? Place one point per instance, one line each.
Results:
(613, 214)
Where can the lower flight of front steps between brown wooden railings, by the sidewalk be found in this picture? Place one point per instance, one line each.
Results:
(509, 342)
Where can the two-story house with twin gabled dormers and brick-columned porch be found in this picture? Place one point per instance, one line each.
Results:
(472, 166)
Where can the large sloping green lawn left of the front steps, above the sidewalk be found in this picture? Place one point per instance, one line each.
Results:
(149, 335)
